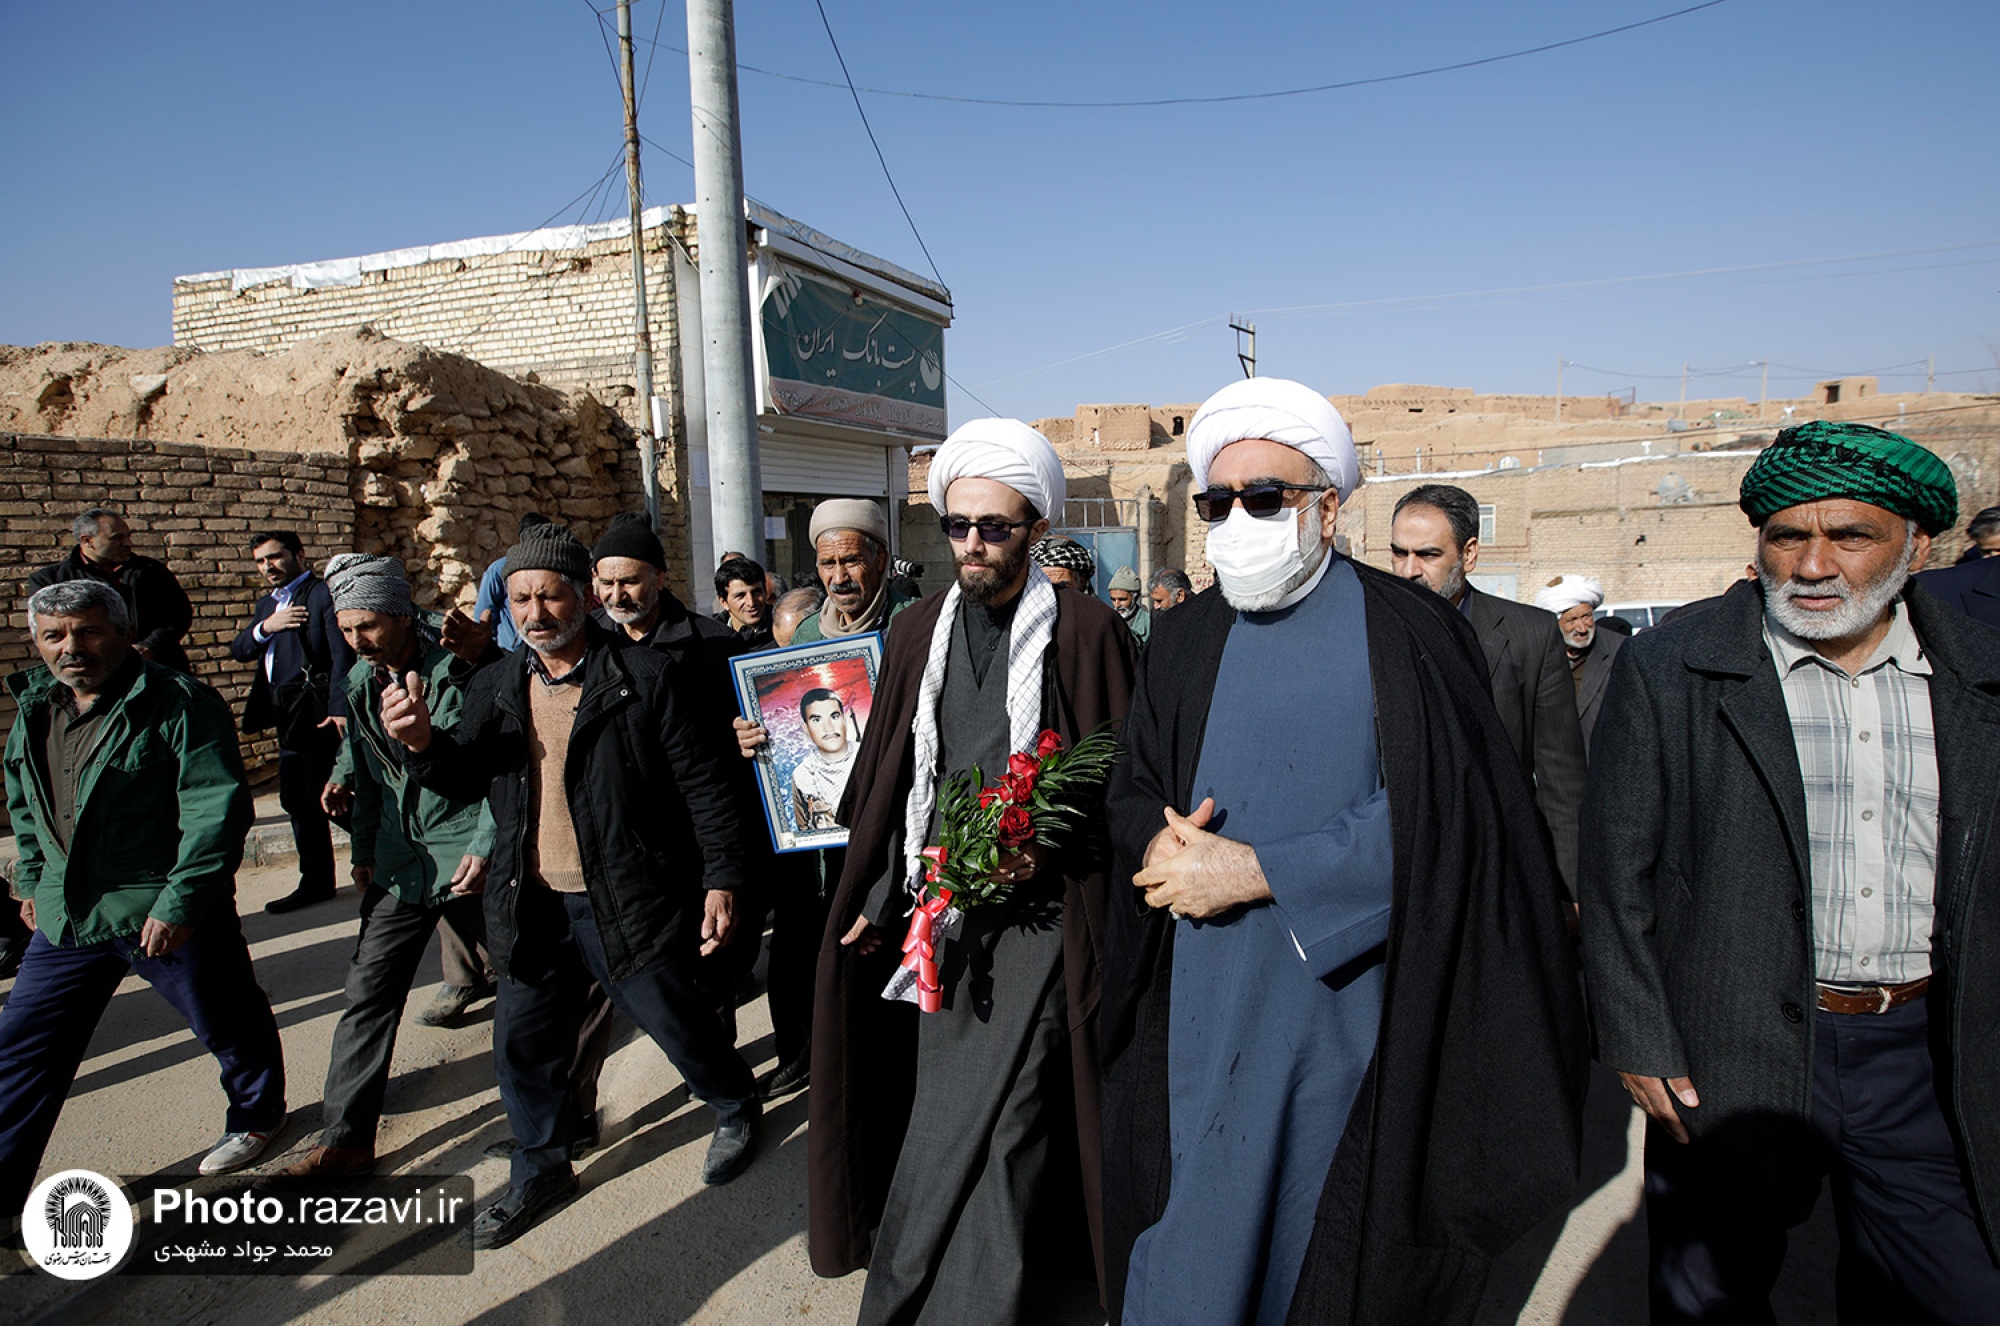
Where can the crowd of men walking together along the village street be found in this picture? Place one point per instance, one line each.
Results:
(1295, 1031)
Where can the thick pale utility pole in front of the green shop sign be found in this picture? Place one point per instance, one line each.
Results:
(735, 479)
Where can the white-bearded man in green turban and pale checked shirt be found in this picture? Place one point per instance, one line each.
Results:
(1793, 903)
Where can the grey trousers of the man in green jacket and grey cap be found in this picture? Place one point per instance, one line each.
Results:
(387, 955)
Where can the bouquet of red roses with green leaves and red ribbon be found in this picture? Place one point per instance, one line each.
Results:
(1039, 799)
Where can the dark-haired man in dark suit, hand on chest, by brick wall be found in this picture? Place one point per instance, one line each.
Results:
(301, 661)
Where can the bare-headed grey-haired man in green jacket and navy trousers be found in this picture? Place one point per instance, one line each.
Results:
(131, 809)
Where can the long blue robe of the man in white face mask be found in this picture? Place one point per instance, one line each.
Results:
(1275, 1007)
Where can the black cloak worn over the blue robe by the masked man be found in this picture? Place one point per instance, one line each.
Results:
(1469, 1121)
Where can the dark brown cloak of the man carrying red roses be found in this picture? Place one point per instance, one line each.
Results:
(865, 1047)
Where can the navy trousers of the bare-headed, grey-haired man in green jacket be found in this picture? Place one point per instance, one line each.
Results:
(63, 991)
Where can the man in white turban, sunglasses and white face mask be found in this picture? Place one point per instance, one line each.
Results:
(1343, 1031)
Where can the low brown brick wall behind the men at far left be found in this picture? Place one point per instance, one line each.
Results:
(191, 507)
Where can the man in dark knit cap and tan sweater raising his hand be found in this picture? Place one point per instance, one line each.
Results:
(617, 855)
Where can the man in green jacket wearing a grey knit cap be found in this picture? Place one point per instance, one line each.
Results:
(419, 857)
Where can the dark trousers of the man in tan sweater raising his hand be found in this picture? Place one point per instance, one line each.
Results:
(541, 1011)
